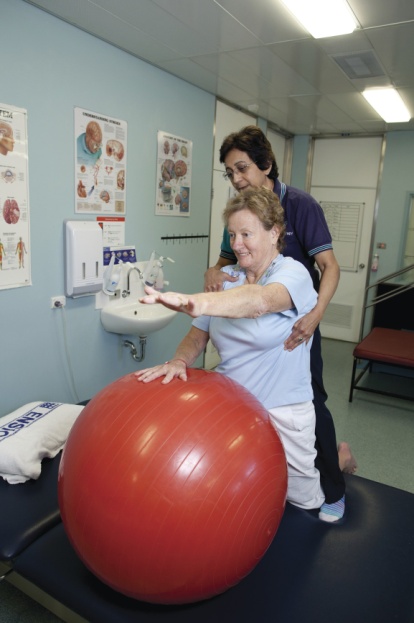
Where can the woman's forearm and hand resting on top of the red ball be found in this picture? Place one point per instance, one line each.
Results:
(187, 352)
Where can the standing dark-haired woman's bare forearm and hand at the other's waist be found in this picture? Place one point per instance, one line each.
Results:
(304, 328)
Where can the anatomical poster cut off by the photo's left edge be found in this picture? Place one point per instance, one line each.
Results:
(15, 259)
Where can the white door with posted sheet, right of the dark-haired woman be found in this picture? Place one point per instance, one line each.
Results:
(345, 175)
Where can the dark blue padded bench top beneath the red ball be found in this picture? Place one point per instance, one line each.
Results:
(360, 571)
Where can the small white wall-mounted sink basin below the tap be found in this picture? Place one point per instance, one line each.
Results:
(134, 318)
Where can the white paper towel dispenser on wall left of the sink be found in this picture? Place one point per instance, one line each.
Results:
(84, 258)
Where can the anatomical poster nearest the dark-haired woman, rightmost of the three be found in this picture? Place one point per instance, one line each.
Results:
(173, 175)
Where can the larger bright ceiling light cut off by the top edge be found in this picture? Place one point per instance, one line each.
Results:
(323, 18)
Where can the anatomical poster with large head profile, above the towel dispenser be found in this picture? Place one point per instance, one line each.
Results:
(100, 163)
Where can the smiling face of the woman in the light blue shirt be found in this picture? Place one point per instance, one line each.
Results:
(251, 243)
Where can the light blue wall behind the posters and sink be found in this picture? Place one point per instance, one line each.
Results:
(52, 67)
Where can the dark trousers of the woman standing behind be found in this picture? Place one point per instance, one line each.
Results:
(332, 479)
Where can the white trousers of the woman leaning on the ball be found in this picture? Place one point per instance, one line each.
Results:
(296, 426)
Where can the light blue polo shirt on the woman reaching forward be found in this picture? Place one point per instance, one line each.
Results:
(252, 349)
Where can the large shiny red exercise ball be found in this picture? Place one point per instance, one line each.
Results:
(172, 493)
